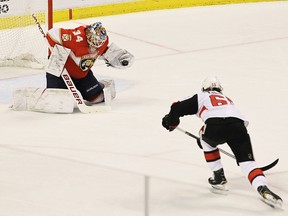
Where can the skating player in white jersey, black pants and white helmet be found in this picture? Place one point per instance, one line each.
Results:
(223, 124)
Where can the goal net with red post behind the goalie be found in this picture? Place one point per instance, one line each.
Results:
(21, 43)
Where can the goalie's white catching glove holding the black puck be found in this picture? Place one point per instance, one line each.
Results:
(118, 58)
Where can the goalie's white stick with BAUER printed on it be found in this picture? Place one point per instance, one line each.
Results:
(70, 84)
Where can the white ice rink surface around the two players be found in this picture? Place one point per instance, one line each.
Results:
(78, 165)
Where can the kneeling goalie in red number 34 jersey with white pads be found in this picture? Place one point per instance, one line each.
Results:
(76, 50)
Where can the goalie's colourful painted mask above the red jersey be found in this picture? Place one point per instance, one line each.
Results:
(96, 35)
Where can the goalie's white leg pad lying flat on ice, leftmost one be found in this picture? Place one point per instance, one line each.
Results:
(42, 100)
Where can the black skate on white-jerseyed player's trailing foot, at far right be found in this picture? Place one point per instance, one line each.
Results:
(269, 197)
